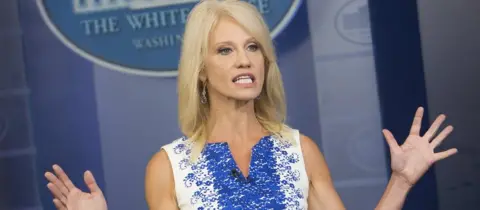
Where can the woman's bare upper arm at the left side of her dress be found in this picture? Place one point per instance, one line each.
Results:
(159, 183)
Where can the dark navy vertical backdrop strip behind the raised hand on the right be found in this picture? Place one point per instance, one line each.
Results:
(401, 83)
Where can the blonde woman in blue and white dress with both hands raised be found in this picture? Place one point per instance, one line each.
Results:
(237, 152)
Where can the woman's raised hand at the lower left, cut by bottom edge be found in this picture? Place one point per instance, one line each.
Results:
(69, 197)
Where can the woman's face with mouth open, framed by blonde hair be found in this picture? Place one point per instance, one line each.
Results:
(235, 65)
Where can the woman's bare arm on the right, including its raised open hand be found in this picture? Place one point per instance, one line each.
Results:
(409, 163)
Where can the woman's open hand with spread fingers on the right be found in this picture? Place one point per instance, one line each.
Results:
(413, 158)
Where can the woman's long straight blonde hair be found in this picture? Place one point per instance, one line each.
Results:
(270, 108)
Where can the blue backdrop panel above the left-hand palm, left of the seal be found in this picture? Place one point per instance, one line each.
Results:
(62, 104)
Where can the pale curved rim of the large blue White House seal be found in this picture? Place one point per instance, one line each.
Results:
(287, 18)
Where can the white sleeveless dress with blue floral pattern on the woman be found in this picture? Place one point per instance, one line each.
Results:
(277, 176)
